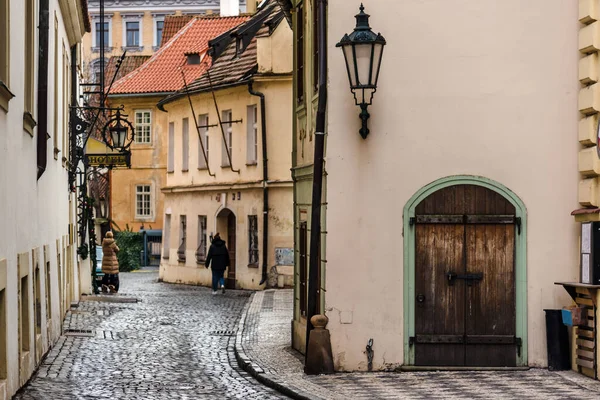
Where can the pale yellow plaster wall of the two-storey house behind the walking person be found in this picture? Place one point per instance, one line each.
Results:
(195, 192)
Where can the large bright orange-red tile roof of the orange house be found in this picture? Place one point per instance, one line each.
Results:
(161, 74)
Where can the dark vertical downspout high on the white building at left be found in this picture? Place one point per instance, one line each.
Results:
(42, 92)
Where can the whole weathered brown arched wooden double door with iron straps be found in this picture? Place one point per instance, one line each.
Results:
(465, 279)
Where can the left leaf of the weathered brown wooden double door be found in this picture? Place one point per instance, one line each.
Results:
(441, 312)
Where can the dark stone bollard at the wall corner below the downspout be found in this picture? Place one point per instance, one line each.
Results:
(319, 359)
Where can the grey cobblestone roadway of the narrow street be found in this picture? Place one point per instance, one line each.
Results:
(176, 343)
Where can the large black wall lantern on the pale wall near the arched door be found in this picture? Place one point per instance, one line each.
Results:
(363, 50)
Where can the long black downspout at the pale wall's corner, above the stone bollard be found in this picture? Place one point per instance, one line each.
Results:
(315, 221)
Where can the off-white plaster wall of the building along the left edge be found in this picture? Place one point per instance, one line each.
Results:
(34, 213)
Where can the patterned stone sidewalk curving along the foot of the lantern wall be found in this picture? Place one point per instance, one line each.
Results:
(264, 349)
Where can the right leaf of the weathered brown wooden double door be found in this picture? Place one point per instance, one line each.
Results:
(490, 303)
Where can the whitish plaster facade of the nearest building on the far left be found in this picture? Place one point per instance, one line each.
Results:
(36, 214)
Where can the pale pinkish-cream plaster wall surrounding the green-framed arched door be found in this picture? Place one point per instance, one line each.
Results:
(483, 88)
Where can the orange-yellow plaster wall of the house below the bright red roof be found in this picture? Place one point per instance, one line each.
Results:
(148, 166)
